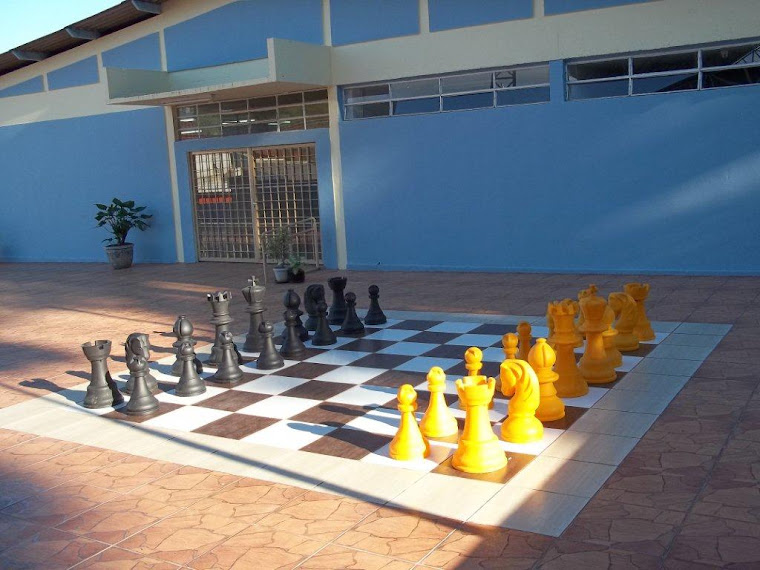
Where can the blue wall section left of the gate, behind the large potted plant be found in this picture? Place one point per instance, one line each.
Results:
(54, 171)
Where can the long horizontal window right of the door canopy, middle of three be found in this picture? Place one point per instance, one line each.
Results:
(476, 90)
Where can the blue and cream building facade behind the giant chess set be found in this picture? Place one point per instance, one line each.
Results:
(488, 135)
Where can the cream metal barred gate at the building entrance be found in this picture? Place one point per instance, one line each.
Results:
(234, 209)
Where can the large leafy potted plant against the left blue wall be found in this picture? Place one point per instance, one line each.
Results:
(120, 217)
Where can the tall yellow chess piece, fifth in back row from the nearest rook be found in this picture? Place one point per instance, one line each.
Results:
(595, 367)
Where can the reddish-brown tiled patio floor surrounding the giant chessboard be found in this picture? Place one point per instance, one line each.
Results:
(687, 495)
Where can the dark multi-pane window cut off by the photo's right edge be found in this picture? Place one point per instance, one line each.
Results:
(663, 72)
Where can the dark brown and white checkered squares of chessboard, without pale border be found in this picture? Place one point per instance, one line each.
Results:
(341, 400)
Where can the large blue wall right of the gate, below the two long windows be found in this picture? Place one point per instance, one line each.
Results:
(653, 183)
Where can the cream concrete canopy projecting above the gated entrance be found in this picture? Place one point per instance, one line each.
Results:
(289, 66)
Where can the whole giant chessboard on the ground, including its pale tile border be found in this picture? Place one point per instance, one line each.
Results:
(326, 420)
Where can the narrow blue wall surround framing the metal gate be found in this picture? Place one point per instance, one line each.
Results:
(321, 139)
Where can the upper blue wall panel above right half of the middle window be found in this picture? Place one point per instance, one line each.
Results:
(448, 14)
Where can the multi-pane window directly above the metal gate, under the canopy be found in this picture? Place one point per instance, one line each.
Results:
(276, 113)
